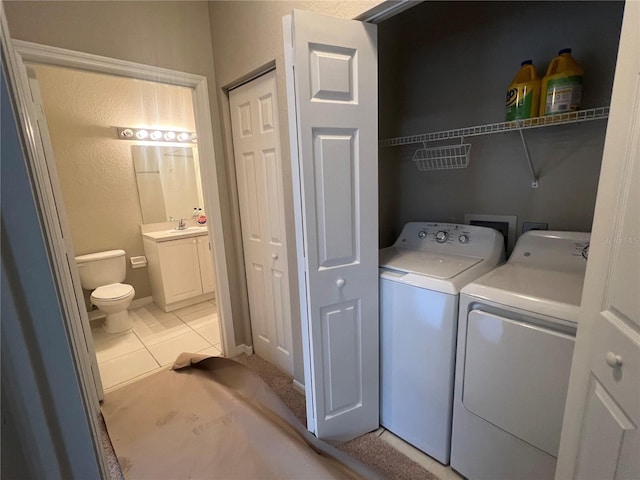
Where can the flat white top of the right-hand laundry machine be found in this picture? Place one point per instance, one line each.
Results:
(548, 292)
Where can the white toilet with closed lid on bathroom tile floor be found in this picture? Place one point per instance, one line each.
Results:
(102, 272)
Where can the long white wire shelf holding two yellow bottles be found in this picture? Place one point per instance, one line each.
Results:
(536, 122)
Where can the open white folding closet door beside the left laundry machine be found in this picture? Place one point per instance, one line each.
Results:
(332, 68)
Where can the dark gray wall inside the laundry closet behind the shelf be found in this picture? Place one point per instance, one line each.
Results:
(446, 65)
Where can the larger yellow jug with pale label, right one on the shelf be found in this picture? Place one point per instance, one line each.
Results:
(562, 85)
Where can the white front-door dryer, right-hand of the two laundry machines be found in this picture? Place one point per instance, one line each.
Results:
(516, 335)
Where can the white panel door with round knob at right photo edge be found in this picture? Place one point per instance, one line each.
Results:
(600, 436)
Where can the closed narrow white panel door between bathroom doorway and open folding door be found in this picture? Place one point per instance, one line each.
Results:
(257, 154)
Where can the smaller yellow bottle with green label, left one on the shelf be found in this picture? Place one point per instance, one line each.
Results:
(523, 93)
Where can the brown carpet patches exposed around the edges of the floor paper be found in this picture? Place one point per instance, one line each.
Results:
(368, 448)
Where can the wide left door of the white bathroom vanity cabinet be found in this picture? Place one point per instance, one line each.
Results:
(180, 269)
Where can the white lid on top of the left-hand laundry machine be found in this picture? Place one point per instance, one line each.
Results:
(430, 264)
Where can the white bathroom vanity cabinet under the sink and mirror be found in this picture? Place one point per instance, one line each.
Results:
(180, 268)
